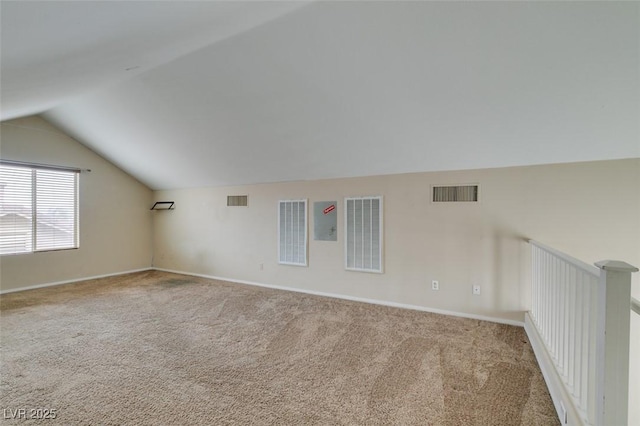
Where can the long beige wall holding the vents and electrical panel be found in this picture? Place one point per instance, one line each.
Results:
(590, 210)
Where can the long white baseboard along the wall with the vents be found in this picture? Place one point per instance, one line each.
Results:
(352, 298)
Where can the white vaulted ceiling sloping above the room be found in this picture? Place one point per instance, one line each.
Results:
(187, 94)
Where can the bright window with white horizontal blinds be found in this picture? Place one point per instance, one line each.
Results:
(38, 209)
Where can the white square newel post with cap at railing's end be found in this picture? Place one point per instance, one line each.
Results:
(612, 351)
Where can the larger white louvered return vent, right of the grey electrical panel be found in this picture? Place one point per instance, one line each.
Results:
(363, 234)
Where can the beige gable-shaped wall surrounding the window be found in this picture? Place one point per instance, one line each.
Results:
(115, 221)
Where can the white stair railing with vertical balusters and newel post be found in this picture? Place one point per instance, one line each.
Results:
(579, 329)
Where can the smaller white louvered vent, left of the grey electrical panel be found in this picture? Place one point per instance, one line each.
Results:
(292, 232)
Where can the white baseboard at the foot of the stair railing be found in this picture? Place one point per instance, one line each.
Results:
(565, 408)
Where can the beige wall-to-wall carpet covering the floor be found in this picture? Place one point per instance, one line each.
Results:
(163, 349)
